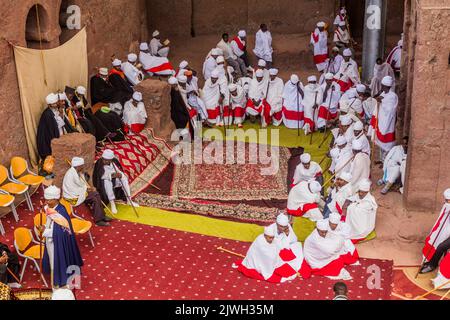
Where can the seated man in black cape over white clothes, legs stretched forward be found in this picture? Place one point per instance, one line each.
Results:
(111, 182)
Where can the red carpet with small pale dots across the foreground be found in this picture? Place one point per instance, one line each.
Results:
(133, 261)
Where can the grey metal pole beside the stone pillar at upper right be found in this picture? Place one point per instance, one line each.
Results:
(374, 26)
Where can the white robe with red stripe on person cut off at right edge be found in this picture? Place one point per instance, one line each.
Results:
(433, 240)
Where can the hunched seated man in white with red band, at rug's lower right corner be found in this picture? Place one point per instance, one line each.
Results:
(304, 200)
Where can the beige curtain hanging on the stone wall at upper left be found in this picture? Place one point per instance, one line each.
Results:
(41, 72)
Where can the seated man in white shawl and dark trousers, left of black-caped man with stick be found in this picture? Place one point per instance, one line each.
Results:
(76, 191)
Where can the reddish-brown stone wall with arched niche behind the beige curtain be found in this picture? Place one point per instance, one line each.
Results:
(113, 27)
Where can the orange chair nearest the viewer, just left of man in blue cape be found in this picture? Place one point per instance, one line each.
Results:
(23, 242)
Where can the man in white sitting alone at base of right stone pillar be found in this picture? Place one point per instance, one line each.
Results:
(394, 166)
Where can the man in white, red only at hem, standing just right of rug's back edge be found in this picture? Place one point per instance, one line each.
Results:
(312, 99)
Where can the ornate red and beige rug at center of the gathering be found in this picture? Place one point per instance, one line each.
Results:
(243, 179)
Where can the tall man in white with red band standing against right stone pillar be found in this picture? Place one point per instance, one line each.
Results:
(386, 117)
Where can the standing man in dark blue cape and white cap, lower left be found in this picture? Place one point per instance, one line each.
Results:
(61, 252)
